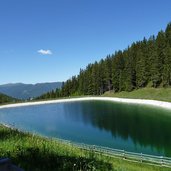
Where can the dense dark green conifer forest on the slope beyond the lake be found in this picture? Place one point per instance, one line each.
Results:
(144, 63)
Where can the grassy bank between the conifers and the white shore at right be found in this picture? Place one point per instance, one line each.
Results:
(162, 94)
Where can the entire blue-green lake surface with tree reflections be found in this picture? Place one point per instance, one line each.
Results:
(130, 127)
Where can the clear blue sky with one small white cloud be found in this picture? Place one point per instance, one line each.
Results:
(50, 40)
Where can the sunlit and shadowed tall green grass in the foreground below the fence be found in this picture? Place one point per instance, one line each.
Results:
(41, 154)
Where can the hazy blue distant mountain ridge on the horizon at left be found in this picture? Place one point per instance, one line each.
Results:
(26, 91)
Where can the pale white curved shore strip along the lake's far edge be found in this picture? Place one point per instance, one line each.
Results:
(156, 103)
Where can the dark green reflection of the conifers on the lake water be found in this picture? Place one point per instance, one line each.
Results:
(146, 126)
